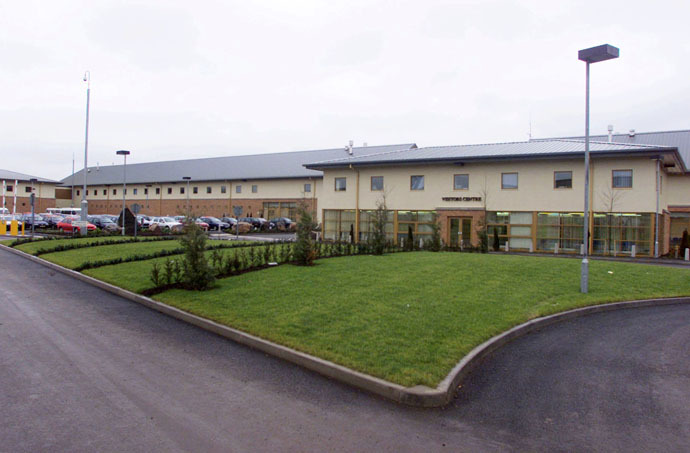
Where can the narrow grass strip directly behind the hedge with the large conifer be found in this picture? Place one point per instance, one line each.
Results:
(135, 276)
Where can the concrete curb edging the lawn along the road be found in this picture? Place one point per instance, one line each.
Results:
(415, 396)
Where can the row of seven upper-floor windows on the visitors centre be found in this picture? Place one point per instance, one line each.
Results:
(621, 179)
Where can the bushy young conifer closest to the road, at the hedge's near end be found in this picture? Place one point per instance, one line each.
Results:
(197, 274)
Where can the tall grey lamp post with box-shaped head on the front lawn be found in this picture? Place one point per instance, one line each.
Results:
(591, 55)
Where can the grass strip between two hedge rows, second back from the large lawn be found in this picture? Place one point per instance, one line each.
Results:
(73, 258)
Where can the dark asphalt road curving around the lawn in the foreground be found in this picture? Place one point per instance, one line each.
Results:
(83, 370)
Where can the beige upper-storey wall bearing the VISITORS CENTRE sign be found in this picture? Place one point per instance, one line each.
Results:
(535, 186)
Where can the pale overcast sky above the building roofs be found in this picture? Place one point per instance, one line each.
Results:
(181, 79)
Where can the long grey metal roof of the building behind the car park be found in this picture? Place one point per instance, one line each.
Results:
(255, 166)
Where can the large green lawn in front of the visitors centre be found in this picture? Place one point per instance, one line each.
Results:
(410, 317)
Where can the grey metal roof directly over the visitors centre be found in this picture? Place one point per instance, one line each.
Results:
(493, 151)
